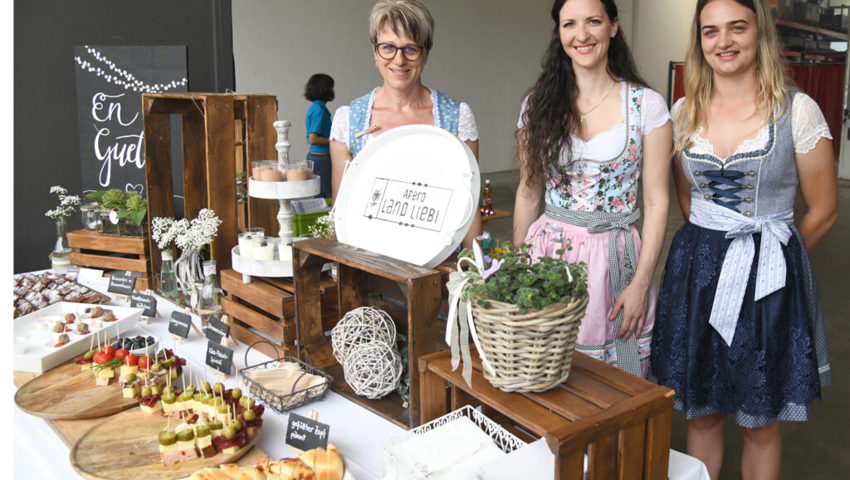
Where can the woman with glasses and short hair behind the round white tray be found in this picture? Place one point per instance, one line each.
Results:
(402, 34)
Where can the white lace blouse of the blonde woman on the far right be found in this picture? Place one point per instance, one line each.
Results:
(808, 126)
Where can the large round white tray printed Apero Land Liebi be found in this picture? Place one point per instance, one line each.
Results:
(410, 194)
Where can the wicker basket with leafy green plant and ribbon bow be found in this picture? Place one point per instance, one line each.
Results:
(521, 312)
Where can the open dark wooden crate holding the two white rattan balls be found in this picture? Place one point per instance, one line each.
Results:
(409, 293)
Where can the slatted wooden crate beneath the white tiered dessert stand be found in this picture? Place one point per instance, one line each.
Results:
(268, 305)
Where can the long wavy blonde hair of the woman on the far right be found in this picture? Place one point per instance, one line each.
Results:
(772, 80)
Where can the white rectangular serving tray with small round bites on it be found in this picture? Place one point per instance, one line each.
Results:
(34, 338)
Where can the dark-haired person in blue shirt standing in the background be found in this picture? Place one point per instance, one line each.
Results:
(320, 91)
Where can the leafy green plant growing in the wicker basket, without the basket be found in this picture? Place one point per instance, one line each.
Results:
(529, 285)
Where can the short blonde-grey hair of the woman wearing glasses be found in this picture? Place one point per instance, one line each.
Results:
(412, 16)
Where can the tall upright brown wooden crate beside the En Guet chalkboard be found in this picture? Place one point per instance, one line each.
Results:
(222, 134)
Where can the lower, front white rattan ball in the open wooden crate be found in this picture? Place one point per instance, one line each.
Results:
(372, 369)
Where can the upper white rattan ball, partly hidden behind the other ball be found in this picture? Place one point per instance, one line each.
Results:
(361, 325)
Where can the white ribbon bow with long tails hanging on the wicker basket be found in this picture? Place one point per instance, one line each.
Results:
(460, 323)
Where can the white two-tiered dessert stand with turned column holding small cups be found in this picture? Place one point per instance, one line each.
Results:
(284, 192)
